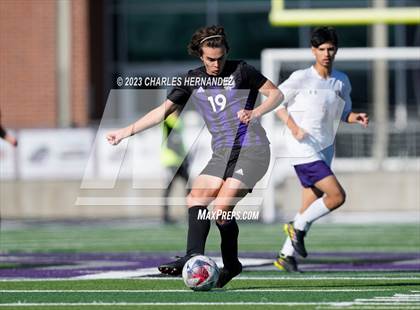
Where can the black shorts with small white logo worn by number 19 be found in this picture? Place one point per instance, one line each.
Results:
(246, 164)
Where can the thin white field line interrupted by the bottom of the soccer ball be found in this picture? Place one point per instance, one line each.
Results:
(189, 291)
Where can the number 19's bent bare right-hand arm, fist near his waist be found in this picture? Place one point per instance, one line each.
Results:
(274, 98)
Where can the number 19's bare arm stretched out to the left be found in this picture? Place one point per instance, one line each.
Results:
(154, 117)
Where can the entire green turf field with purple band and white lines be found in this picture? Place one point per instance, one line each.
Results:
(259, 287)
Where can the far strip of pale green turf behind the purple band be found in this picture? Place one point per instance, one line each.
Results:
(155, 237)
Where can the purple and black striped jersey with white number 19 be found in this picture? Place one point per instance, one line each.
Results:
(218, 99)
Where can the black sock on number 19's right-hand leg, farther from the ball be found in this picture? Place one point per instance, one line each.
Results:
(229, 232)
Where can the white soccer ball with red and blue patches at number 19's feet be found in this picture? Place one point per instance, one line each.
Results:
(200, 273)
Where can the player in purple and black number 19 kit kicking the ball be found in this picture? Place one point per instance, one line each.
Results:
(241, 151)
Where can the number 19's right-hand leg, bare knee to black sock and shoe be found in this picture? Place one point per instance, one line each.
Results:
(229, 195)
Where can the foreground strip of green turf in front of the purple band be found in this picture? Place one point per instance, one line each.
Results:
(260, 291)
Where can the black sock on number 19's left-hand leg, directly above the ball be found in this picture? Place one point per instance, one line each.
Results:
(198, 229)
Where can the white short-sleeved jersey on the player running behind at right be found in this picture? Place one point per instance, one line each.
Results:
(316, 105)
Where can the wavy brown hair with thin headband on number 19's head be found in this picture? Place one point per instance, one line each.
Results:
(198, 40)
